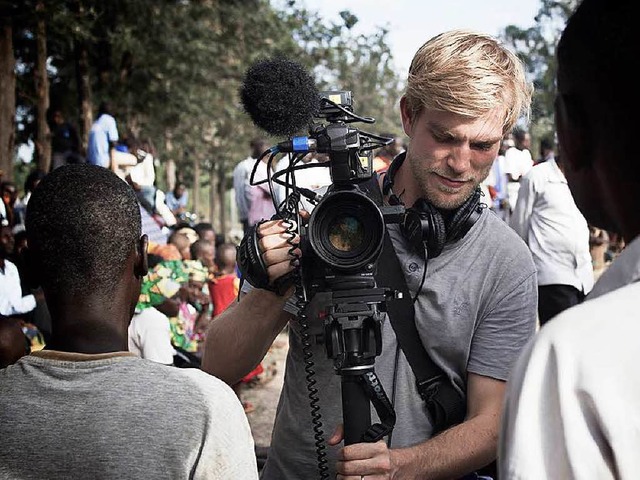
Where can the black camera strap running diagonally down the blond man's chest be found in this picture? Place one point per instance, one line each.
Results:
(443, 402)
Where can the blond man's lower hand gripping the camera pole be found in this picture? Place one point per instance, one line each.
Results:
(370, 460)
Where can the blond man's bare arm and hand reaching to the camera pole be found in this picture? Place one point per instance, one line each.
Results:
(451, 454)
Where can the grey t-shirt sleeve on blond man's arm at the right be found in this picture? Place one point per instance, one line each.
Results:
(505, 329)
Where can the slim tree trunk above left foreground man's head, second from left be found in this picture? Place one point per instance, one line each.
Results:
(43, 137)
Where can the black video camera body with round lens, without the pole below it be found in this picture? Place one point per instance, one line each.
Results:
(344, 235)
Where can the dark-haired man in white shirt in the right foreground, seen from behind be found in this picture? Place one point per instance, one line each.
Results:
(573, 401)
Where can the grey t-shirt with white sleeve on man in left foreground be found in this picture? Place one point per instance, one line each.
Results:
(117, 416)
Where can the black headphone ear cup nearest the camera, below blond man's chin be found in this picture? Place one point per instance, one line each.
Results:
(424, 227)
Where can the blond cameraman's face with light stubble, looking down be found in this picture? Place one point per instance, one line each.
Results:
(449, 154)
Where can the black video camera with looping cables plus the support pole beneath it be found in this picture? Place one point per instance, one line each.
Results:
(341, 243)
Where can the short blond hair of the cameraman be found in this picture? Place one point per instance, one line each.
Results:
(468, 73)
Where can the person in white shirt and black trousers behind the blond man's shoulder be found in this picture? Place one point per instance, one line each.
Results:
(548, 220)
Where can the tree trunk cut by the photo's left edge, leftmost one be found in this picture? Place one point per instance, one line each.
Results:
(7, 101)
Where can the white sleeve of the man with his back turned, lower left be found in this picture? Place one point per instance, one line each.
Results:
(228, 448)
